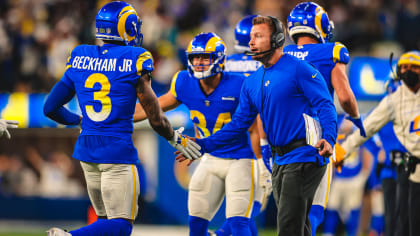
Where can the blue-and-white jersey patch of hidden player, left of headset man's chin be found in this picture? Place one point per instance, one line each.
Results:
(241, 63)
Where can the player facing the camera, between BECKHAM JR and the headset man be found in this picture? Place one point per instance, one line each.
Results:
(212, 97)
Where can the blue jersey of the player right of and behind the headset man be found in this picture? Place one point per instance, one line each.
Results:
(323, 56)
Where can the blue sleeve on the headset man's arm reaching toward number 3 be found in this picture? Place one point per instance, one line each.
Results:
(243, 118)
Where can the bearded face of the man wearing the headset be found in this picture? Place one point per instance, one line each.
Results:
(260, 39)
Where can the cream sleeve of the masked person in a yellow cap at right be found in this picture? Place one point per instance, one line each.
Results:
(379, 117)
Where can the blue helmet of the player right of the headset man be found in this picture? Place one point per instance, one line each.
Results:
(310, 18)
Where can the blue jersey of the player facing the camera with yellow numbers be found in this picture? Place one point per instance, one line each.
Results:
(210, 113)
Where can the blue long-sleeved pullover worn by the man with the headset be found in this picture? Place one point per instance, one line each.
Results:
(281, 94)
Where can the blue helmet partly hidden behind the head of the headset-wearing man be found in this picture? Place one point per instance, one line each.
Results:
(242, 33)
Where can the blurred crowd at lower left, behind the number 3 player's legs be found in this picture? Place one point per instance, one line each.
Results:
(28, 174)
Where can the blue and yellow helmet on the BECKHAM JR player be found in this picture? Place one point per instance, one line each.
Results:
(118, 21)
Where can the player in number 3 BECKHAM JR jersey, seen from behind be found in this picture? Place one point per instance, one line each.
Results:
(107, 80)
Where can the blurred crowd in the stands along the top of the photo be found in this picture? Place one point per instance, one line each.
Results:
(37, 36)
